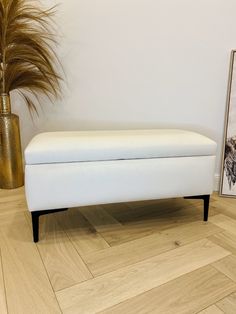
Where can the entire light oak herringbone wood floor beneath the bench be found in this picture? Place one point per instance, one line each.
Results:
(141, 257)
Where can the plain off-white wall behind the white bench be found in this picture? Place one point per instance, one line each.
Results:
(141, 64)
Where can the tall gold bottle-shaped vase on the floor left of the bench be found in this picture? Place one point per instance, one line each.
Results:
(11, 165)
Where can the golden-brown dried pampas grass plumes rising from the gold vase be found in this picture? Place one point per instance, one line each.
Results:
(27, 60)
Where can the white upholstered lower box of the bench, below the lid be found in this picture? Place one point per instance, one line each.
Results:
(61, 185)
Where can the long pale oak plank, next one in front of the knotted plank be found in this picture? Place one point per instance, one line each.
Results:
(112, 288)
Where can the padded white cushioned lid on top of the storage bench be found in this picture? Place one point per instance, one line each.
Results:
(78, 146)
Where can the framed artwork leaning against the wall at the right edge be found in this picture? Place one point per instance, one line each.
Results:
(228, 165)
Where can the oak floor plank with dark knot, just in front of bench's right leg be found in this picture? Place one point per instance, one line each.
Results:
(132, 252)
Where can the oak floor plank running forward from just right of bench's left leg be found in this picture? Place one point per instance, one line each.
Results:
(63, 263)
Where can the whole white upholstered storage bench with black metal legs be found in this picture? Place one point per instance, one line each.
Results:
(69, 169)
